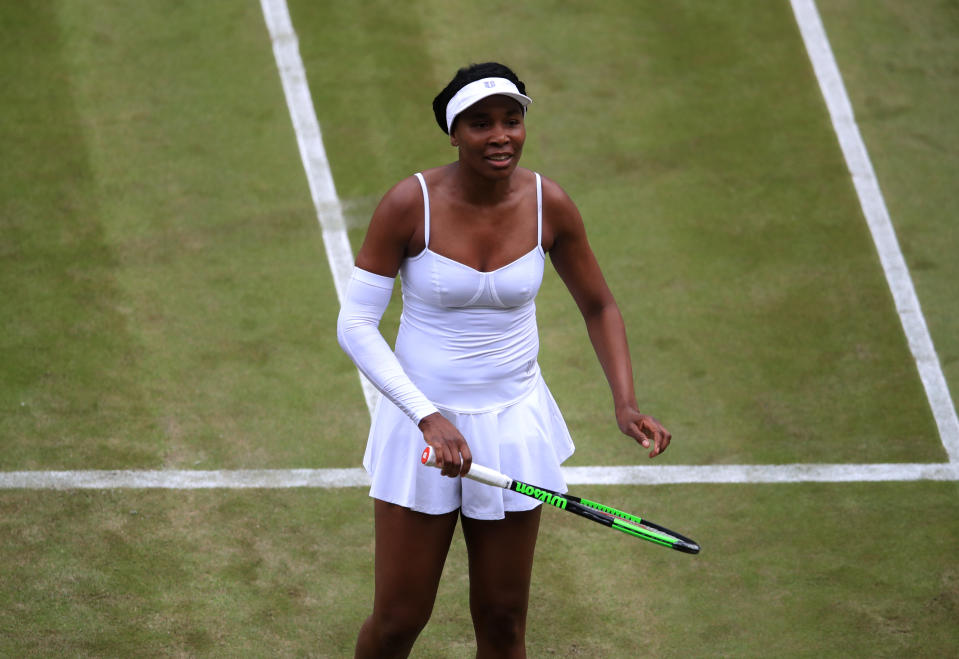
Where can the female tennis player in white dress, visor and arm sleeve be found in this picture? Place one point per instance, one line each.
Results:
(469, 240)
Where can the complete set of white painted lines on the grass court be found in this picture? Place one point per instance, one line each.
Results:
(338, 250)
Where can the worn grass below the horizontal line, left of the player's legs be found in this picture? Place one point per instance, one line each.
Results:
(121, 573)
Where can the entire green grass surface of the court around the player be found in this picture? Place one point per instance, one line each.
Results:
(167, 304)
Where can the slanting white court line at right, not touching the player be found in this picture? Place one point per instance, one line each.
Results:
(880, 225)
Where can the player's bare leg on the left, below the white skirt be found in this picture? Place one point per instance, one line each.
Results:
(411, 549)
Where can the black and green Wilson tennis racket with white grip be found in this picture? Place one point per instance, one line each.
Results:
(614, 519)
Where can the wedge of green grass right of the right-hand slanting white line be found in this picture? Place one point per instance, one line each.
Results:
(899, 67)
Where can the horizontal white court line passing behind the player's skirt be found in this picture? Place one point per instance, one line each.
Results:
(338, 478)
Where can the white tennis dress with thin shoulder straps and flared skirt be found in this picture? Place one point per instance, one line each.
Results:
(469, 341)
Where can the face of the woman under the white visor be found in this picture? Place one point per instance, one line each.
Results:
(490, 136)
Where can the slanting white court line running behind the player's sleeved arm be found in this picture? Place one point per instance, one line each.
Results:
(329, 212)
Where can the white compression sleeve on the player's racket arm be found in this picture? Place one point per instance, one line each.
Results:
(357, 329)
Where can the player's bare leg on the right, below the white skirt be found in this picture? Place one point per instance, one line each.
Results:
(501, 565)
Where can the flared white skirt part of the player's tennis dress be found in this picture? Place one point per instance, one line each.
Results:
(527, 440)
